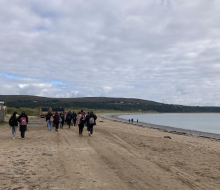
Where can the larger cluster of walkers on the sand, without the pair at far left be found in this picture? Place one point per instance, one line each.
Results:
(70, 118)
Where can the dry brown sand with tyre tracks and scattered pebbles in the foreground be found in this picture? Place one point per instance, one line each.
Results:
(118, 156)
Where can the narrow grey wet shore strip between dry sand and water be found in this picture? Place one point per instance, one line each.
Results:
(168, 129)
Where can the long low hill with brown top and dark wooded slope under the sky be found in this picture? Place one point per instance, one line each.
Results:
(122, 104)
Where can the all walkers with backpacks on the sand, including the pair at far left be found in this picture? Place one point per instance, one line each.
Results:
(57, 120)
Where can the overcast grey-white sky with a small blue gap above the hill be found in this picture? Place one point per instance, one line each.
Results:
(161, 50)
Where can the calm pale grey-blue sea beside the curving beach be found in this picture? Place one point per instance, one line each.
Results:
(200, 122)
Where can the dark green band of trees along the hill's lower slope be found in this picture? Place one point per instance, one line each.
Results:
(113, 105)
